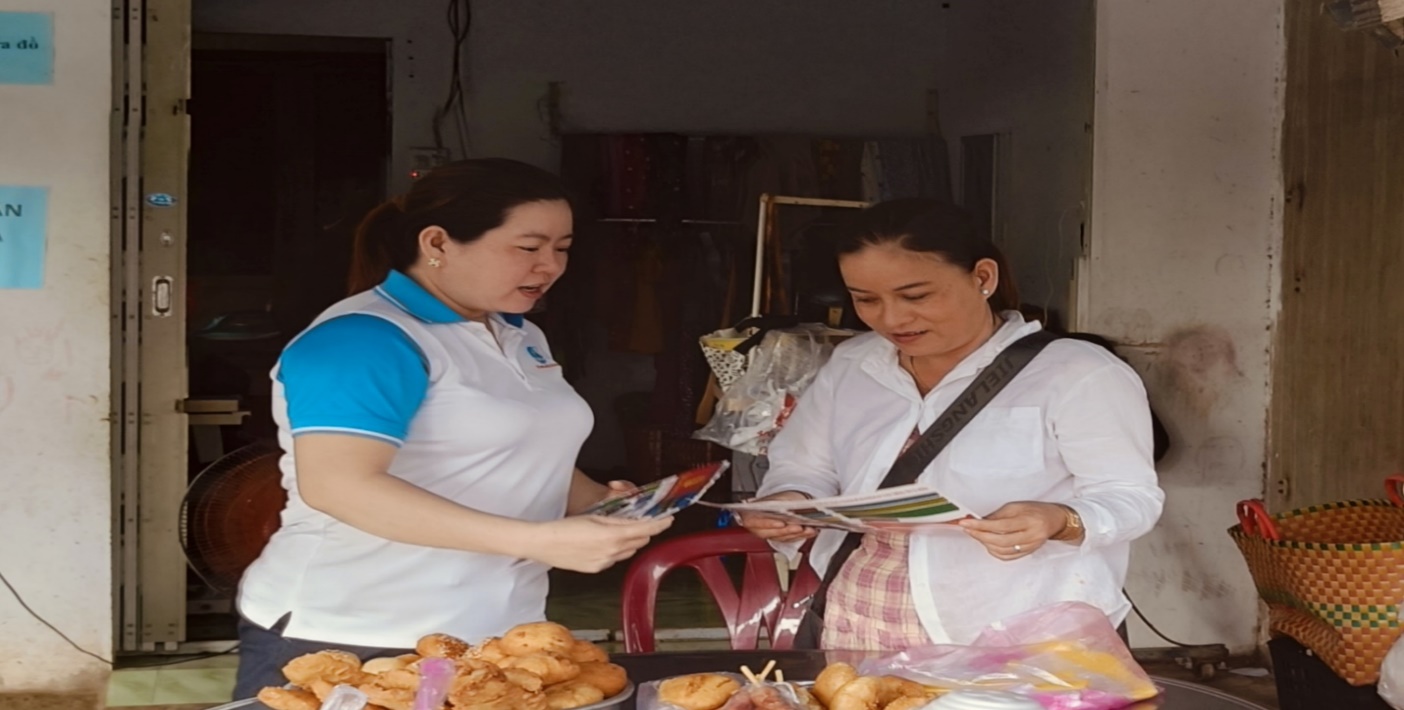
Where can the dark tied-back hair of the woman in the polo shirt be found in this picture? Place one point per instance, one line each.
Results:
(467, 199)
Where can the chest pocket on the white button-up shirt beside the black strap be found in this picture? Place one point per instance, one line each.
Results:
(1002, 441)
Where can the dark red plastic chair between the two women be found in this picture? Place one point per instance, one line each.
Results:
(759, 603)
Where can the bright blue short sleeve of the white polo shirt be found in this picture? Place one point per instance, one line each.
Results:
(357, 375)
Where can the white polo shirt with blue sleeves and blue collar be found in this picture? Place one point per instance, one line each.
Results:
(492, 427)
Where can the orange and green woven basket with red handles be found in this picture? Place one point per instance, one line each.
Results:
(1333, 577)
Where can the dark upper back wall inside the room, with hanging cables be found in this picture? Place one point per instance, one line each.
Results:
(832, 67)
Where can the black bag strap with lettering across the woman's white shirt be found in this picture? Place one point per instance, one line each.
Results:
(915, 461)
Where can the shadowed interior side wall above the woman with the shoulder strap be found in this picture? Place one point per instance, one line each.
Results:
(1024, 69)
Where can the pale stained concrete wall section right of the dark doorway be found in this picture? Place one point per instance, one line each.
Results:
(1187, 224)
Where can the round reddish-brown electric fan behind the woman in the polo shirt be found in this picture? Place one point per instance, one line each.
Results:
(230, 513)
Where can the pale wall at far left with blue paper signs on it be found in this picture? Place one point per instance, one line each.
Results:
(55, 513)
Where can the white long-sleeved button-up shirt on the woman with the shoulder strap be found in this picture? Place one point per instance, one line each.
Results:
(1073, 427)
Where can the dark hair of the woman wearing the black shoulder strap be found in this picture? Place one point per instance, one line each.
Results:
(934, 228)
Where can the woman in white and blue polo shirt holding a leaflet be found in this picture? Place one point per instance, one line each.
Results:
(430, 438)
